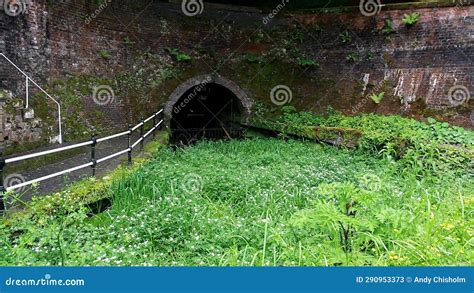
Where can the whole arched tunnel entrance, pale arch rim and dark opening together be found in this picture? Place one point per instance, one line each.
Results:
(207, 108)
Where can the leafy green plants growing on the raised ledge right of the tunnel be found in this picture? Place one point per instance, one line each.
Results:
(430, 148)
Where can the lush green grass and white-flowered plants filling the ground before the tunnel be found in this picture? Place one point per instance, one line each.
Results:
(260, 202)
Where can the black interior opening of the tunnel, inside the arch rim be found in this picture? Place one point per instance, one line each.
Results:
(209, 111)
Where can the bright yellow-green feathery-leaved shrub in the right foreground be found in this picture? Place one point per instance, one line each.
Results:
(373, 220)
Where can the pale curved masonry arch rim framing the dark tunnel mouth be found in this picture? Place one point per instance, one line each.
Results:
(245, 101)
